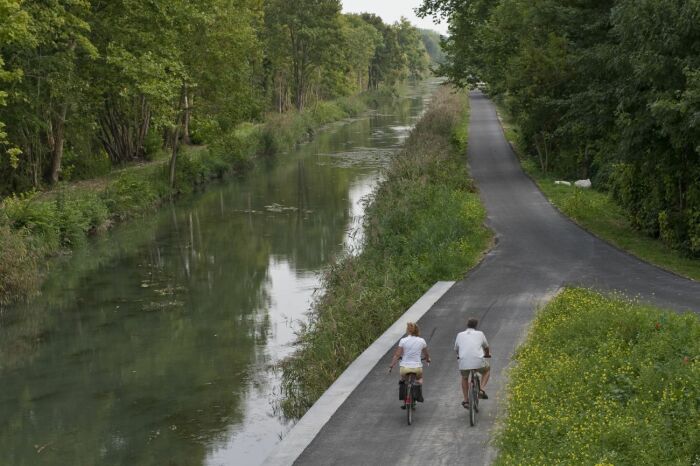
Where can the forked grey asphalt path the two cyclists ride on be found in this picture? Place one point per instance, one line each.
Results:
(538, 251)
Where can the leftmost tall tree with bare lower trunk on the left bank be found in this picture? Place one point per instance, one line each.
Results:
(51, 80)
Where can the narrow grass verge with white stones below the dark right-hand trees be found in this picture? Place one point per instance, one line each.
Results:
(598, 213)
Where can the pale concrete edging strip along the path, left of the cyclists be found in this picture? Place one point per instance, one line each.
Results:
(299, 437)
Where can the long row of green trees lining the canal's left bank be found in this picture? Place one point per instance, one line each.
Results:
(88, 85)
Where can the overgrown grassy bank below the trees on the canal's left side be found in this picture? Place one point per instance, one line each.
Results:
(35, 226)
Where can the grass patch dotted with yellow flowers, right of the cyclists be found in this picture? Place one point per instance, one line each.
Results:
(604, 381)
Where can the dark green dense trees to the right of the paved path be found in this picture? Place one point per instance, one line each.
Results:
(603, 89)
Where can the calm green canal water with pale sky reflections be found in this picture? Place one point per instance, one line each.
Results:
(153, 344)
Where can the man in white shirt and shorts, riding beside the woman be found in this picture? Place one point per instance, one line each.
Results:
(472, 350)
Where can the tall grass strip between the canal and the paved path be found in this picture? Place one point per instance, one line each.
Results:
(424, 224)
